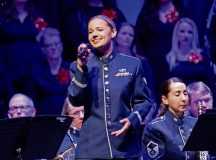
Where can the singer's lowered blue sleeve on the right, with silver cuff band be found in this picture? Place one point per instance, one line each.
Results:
(141, 101)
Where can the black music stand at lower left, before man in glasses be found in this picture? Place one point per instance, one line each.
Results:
(31, 138)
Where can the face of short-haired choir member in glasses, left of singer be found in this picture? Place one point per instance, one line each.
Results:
(52, 47)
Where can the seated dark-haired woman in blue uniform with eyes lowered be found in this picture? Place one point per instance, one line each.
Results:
(165, 136)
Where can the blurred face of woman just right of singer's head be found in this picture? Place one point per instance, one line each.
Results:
(125, 36)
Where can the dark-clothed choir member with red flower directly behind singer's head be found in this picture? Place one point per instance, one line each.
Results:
(75, 22)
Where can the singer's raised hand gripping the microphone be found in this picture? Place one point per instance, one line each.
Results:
(82, 59)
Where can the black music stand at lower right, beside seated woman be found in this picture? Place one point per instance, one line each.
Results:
(203, 136)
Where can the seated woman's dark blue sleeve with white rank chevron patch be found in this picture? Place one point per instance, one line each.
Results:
(153, 143)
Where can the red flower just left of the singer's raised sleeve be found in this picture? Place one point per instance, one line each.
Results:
(63, 76)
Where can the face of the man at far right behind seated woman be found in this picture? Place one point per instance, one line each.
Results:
(205, 100)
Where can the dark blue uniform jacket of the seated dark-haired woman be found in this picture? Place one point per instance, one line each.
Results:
(165, 137)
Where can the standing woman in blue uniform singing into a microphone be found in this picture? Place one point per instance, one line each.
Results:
(115, 96)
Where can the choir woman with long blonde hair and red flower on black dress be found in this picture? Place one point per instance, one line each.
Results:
(186, 60)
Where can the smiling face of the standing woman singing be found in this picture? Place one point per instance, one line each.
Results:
(100, 34)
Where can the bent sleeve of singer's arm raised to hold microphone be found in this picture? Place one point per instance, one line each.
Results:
(77, 88)
